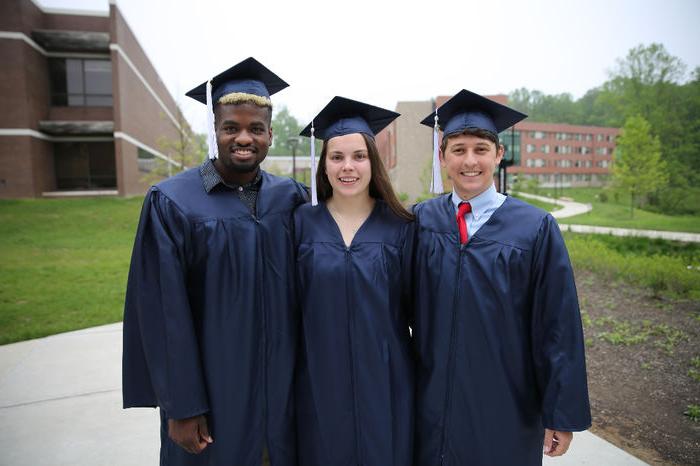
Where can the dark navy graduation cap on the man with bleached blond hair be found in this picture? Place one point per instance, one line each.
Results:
(249, 76)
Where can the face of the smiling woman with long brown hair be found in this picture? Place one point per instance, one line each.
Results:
(347, 165)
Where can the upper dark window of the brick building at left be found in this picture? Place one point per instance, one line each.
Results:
(77, 82)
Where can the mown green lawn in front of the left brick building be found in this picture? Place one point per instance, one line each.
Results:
(63, 264)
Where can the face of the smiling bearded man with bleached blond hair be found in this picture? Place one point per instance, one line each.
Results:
(243, 136)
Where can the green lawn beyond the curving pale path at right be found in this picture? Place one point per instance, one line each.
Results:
(617, 213)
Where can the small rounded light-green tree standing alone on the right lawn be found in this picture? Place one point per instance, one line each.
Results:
(638, 168)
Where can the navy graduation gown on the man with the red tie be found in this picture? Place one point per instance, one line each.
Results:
(498, 335)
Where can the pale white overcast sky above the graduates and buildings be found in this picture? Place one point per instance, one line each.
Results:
(385, 51)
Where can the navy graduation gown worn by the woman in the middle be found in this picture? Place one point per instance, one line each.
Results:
(355, 378)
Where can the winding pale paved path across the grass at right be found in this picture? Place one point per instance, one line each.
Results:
(570, 209)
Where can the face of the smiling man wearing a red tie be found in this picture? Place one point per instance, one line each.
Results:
(470, 162)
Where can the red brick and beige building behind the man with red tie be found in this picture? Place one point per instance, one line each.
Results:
(552, 153)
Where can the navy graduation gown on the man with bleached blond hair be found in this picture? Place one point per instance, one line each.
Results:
(209, 320)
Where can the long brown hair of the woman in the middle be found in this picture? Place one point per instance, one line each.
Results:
(379, 185)
